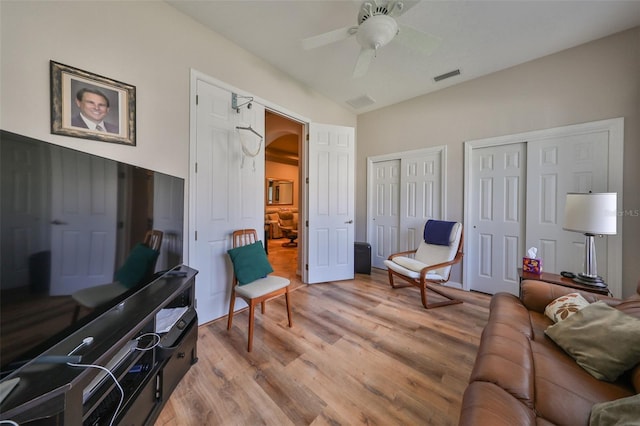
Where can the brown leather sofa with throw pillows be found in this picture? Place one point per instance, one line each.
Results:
(521, 377)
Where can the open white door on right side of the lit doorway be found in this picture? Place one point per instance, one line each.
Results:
(331, 203)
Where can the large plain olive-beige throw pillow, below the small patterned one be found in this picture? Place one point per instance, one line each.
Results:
(602, 340)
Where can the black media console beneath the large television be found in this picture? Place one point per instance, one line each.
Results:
(51, 392)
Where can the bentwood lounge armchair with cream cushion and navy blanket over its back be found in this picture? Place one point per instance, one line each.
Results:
(429, 264)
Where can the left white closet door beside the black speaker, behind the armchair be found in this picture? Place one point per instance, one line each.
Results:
(385, 211)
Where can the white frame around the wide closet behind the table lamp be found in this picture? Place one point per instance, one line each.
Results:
(615, 127)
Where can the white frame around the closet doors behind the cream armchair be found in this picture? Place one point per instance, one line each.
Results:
(440, 149)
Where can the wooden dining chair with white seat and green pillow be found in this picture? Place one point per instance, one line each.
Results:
(258, 291)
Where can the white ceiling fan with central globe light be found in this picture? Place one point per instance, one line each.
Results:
(377, 27)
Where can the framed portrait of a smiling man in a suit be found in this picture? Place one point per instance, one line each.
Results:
(90, 106)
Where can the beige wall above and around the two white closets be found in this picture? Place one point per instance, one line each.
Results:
(595, 81)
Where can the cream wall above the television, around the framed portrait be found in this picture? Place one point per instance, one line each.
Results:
(144, 43)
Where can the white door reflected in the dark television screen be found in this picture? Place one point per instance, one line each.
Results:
(84, 198)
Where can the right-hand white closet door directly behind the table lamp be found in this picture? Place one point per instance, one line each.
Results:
(575, 163)
